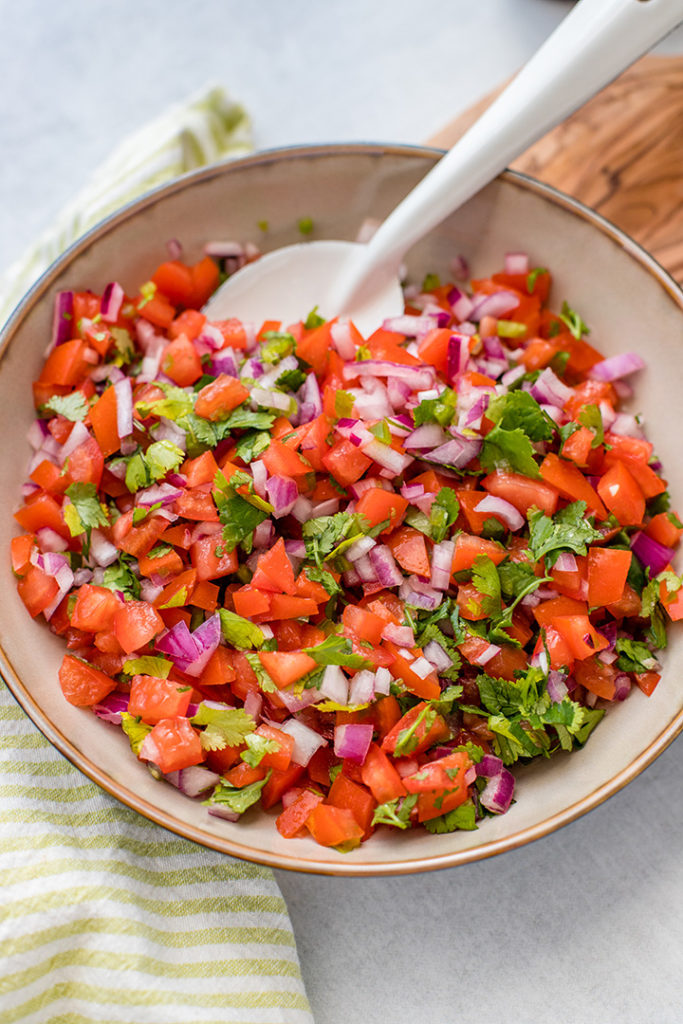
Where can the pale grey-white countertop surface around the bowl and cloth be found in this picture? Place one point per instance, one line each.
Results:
(586, 925)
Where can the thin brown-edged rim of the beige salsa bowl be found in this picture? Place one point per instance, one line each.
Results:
(228, 845)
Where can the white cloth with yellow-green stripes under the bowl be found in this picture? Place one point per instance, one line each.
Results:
(106, 917)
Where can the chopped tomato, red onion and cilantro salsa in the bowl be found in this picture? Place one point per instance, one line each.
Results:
(356, 580)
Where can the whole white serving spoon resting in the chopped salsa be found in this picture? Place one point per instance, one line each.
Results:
(594, 44)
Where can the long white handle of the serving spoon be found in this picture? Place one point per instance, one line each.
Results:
(593, 45)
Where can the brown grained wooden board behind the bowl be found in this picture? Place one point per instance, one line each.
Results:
(622, 154)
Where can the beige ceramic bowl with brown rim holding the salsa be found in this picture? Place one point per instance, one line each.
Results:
(622, 293)
